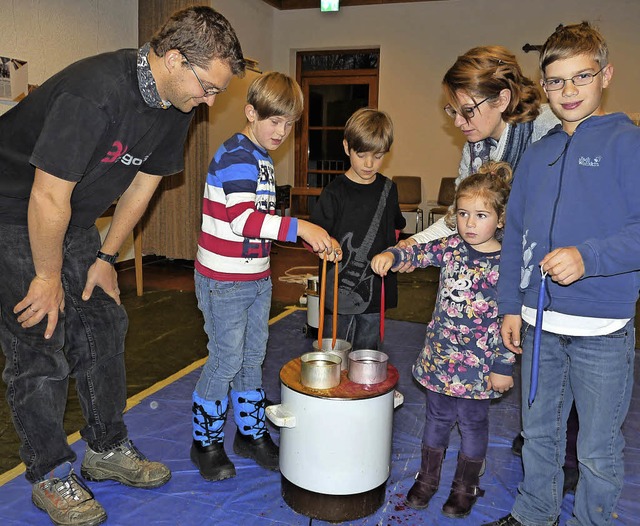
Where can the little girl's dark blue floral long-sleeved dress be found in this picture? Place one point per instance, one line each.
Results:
(463, 343)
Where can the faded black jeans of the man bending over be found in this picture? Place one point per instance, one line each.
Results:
(88, 344)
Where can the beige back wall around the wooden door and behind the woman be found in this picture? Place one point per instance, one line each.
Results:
(419, 42)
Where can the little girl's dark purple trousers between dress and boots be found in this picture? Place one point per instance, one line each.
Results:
(472, 417)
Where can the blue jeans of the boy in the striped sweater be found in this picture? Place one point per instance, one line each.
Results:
(236, 320)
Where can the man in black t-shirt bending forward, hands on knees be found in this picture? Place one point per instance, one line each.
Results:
(107, 127)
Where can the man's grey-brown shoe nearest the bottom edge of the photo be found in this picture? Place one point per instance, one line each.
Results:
(67, 501)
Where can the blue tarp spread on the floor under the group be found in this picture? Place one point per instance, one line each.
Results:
(160, 426)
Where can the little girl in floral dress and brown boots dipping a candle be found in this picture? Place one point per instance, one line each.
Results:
(463, 364)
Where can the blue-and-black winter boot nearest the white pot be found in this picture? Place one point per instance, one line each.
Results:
(252, 439)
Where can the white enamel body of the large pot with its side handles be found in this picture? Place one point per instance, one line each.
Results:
(310, 455)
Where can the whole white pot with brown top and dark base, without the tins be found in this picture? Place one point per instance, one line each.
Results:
(335, 444)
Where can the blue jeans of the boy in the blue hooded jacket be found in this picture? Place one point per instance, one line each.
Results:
(596, 371)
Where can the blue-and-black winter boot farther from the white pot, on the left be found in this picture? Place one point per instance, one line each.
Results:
(207, 449)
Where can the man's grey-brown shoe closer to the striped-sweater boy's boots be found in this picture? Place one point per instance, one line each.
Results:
(125, 464)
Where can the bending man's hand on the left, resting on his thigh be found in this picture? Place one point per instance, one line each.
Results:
(44, 298)
